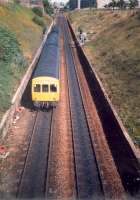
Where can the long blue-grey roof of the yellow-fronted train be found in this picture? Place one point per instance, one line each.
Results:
(48, 64)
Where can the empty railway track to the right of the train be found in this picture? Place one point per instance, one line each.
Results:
(88, 183)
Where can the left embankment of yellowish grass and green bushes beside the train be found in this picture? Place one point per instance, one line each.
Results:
(19, 39)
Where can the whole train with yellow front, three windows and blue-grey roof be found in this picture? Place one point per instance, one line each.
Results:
(45, 79)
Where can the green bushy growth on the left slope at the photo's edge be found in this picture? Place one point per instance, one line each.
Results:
(12, 66)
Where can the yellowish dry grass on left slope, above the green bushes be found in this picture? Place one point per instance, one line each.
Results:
(20, 21)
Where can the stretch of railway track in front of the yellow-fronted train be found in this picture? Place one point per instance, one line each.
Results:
(34, 175)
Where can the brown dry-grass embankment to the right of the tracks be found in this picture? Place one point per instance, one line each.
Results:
(114, 50)
